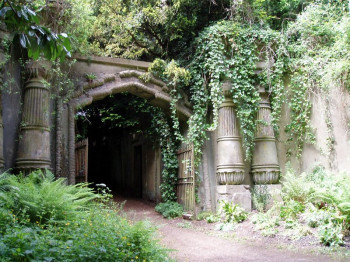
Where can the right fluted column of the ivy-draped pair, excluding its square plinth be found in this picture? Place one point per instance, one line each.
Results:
(265, 167)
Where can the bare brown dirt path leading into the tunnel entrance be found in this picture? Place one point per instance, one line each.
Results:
(197, 241)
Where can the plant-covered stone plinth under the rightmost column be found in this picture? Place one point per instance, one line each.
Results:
(268, 194)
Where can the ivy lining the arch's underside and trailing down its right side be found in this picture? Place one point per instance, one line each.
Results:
(138, 116)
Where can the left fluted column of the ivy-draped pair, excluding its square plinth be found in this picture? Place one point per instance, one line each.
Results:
(230, 167)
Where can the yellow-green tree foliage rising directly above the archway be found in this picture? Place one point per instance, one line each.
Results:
(153, 28)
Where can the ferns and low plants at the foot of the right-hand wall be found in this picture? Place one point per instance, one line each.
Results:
(313, 203)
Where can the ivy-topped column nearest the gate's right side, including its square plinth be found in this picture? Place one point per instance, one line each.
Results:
(230, 171)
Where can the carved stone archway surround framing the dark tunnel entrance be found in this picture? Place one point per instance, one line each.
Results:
(112, 76)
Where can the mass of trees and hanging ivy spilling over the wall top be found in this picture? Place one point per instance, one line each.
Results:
(207, 42)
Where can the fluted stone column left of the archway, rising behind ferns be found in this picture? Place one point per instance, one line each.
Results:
(34, 141)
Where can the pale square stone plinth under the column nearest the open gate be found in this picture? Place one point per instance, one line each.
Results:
(238, 194)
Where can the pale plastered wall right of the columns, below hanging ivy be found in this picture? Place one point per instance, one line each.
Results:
(332, 147)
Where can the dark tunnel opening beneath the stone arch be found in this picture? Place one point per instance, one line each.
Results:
(122, 150)
